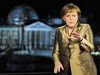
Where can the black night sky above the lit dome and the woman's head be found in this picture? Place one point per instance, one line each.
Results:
(89, 8)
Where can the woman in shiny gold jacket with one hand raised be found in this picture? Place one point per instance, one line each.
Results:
(73, 44)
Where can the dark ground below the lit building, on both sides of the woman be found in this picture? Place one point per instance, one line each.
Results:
(27, 64)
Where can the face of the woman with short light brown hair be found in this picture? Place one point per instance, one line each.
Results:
(71, 18)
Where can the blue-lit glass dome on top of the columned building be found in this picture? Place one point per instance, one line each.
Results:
(21, 14)
